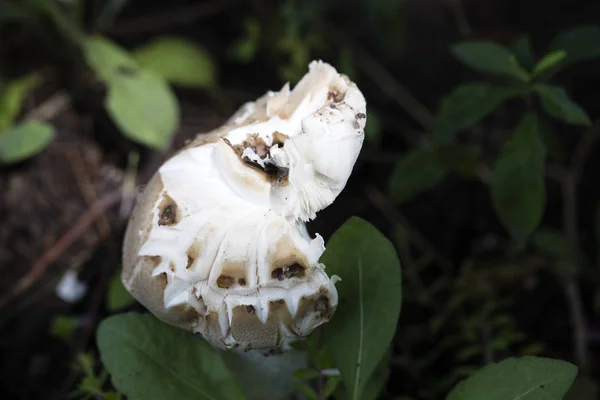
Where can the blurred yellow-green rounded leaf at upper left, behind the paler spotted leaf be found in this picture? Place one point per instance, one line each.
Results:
(179, 61)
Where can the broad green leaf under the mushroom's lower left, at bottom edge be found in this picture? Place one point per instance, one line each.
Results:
(152, 360)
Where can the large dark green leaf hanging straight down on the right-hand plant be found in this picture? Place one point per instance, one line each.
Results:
(517, 186)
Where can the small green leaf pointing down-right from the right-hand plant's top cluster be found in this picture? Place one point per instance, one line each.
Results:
(557, 103)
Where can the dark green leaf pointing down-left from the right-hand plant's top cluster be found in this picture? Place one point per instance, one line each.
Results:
(468, 104)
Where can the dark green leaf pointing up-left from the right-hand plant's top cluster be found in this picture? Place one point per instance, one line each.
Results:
(489, 58)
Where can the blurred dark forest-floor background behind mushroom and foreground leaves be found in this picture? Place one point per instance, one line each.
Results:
(494, 217)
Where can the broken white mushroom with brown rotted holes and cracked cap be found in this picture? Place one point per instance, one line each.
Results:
(217, 242)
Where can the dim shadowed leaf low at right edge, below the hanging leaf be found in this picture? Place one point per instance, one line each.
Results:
(569, 259)
